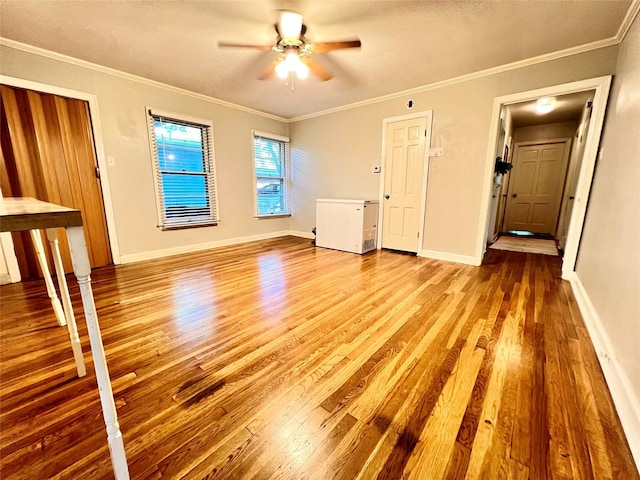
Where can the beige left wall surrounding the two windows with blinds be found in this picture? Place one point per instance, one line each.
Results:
(123, 120)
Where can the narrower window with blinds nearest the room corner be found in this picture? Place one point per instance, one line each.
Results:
(271, 165)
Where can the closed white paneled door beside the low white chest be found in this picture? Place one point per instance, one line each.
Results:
(403, 180)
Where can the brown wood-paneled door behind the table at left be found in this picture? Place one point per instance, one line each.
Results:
(48, 153)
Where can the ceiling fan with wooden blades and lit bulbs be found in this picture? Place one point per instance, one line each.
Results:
(295, 50)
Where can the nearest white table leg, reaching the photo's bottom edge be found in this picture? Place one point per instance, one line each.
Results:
(82, 269)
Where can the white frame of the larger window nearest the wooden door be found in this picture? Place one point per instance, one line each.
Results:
(187, 221)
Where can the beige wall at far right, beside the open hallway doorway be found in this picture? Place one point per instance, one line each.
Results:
(609, 260)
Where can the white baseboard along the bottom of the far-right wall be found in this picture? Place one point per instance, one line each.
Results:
(624, 398)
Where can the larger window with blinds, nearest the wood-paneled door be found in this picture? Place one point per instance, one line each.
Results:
(184, 166)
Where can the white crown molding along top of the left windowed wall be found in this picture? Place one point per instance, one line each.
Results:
(129, 76)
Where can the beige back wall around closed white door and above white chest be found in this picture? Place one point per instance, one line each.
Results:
(333, 154)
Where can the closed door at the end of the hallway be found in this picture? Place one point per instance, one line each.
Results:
(535, 189)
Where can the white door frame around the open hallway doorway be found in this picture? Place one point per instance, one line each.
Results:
(601, 85)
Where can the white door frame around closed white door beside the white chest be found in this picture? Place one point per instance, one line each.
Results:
(428, 116)
